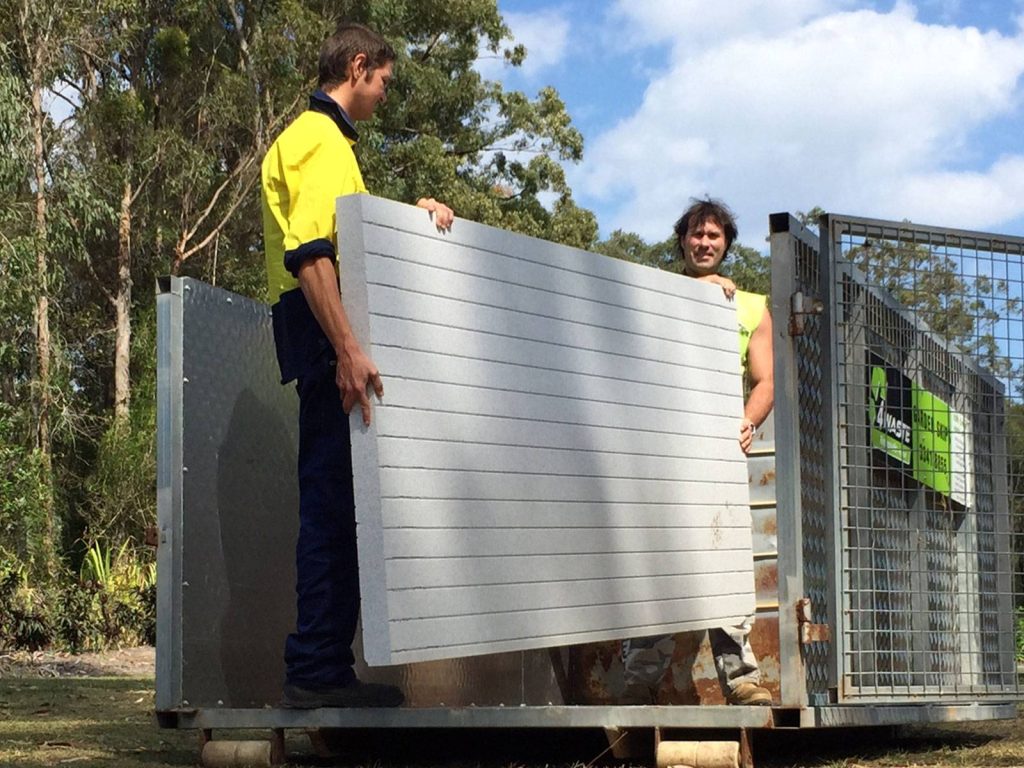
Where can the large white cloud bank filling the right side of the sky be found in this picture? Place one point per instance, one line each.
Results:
(863, 113)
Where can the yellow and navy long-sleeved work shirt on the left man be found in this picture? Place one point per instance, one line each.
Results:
(308, 168)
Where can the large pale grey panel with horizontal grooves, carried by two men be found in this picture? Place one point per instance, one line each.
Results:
(556, 460)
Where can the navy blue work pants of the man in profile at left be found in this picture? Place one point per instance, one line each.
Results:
(320, 652)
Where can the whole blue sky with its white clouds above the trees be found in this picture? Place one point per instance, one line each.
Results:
(892, 110)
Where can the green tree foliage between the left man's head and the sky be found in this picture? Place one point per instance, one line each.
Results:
(445, 133)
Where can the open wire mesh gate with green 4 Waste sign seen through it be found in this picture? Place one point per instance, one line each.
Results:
(928, 352)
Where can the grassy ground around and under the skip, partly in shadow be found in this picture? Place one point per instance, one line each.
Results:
(109, 722)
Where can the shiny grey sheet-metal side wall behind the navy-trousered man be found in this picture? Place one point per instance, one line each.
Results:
(227, 502)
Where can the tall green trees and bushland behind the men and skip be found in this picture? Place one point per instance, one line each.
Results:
(133, 135)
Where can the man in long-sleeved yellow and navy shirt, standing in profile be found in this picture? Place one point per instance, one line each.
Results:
(310, 165)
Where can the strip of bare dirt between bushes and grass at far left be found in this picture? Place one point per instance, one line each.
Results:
(135, 663)
